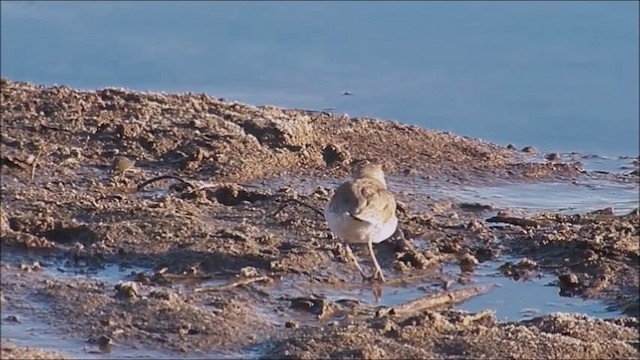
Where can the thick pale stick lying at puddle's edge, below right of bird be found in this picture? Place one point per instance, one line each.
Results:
(447, 298)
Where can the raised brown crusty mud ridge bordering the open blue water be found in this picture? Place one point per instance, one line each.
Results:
(207, 138)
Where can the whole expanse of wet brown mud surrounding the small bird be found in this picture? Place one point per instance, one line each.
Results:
(207, 241)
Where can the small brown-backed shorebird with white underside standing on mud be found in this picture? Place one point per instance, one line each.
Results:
(363, 211)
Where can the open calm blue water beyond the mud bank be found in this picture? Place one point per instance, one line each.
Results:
(562, 76)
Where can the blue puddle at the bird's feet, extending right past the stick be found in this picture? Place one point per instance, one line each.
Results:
(510, 299)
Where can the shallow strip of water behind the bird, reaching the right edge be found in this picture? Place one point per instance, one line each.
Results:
(581, 196)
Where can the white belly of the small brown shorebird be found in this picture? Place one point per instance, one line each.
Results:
(359, 232)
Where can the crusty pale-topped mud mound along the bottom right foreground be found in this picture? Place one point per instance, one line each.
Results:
(456, 335)
